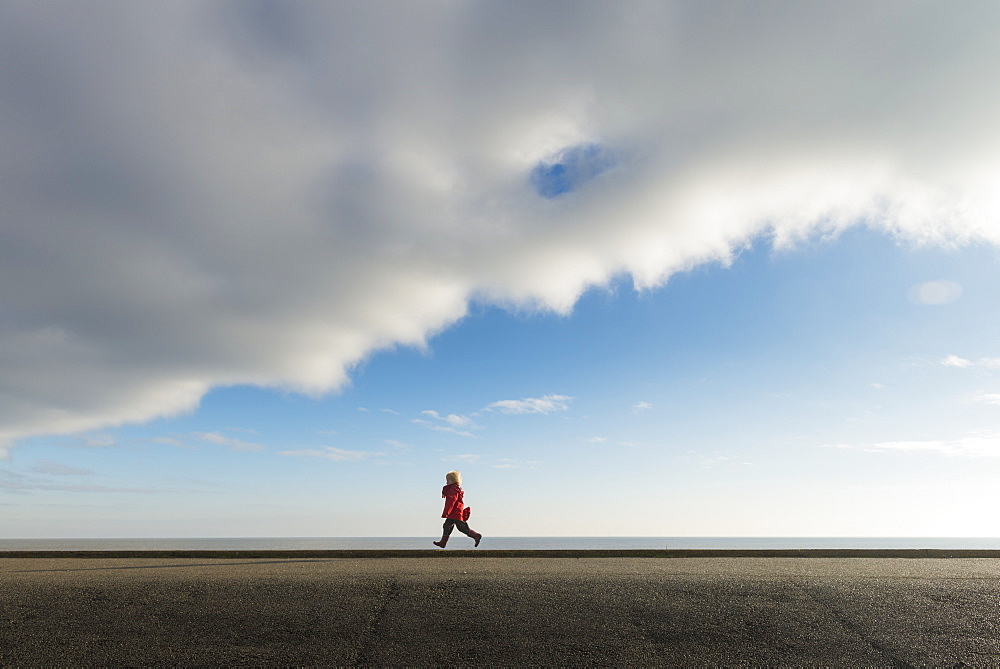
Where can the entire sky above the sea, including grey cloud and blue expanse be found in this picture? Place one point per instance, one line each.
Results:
(635, 268)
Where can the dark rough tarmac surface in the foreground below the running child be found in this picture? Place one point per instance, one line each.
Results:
(206, 610)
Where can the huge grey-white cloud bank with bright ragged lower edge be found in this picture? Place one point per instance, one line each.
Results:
(211, 193)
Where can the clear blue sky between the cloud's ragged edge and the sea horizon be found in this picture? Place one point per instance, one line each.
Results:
(762, 398)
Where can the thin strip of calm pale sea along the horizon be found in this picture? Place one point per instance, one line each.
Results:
(502, 543)
